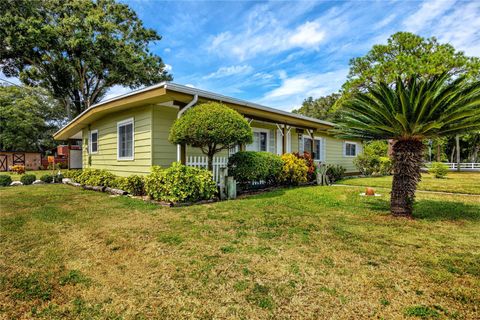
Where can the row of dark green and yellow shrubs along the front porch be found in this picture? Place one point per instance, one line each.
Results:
(289, 169)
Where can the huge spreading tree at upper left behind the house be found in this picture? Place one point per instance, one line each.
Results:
(77, 49)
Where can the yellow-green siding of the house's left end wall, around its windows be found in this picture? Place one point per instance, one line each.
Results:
(106, 157)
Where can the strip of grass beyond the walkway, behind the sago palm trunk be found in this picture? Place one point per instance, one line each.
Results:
(456, 182)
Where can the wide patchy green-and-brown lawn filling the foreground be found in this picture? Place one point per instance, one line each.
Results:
(311, 253)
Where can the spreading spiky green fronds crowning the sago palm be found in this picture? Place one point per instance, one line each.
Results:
(414, 108)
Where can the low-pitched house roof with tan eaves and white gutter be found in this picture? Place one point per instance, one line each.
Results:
(181, 95)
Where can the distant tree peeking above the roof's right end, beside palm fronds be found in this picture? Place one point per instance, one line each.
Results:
(320, 108)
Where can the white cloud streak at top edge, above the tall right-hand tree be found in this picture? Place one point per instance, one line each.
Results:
(428, 13)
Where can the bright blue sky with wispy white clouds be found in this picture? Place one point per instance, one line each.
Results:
(277, 53)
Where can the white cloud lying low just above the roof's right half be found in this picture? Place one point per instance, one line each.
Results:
(292, 90)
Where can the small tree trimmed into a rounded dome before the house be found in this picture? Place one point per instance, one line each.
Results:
(212, 127)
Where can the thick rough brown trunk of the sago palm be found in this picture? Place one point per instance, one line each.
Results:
(407, 159)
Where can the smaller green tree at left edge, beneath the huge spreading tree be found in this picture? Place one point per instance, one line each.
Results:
(28, 119)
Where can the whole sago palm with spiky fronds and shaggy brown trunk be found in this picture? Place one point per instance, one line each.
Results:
(410, 111)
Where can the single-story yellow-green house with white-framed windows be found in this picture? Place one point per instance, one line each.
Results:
(129, 133)
